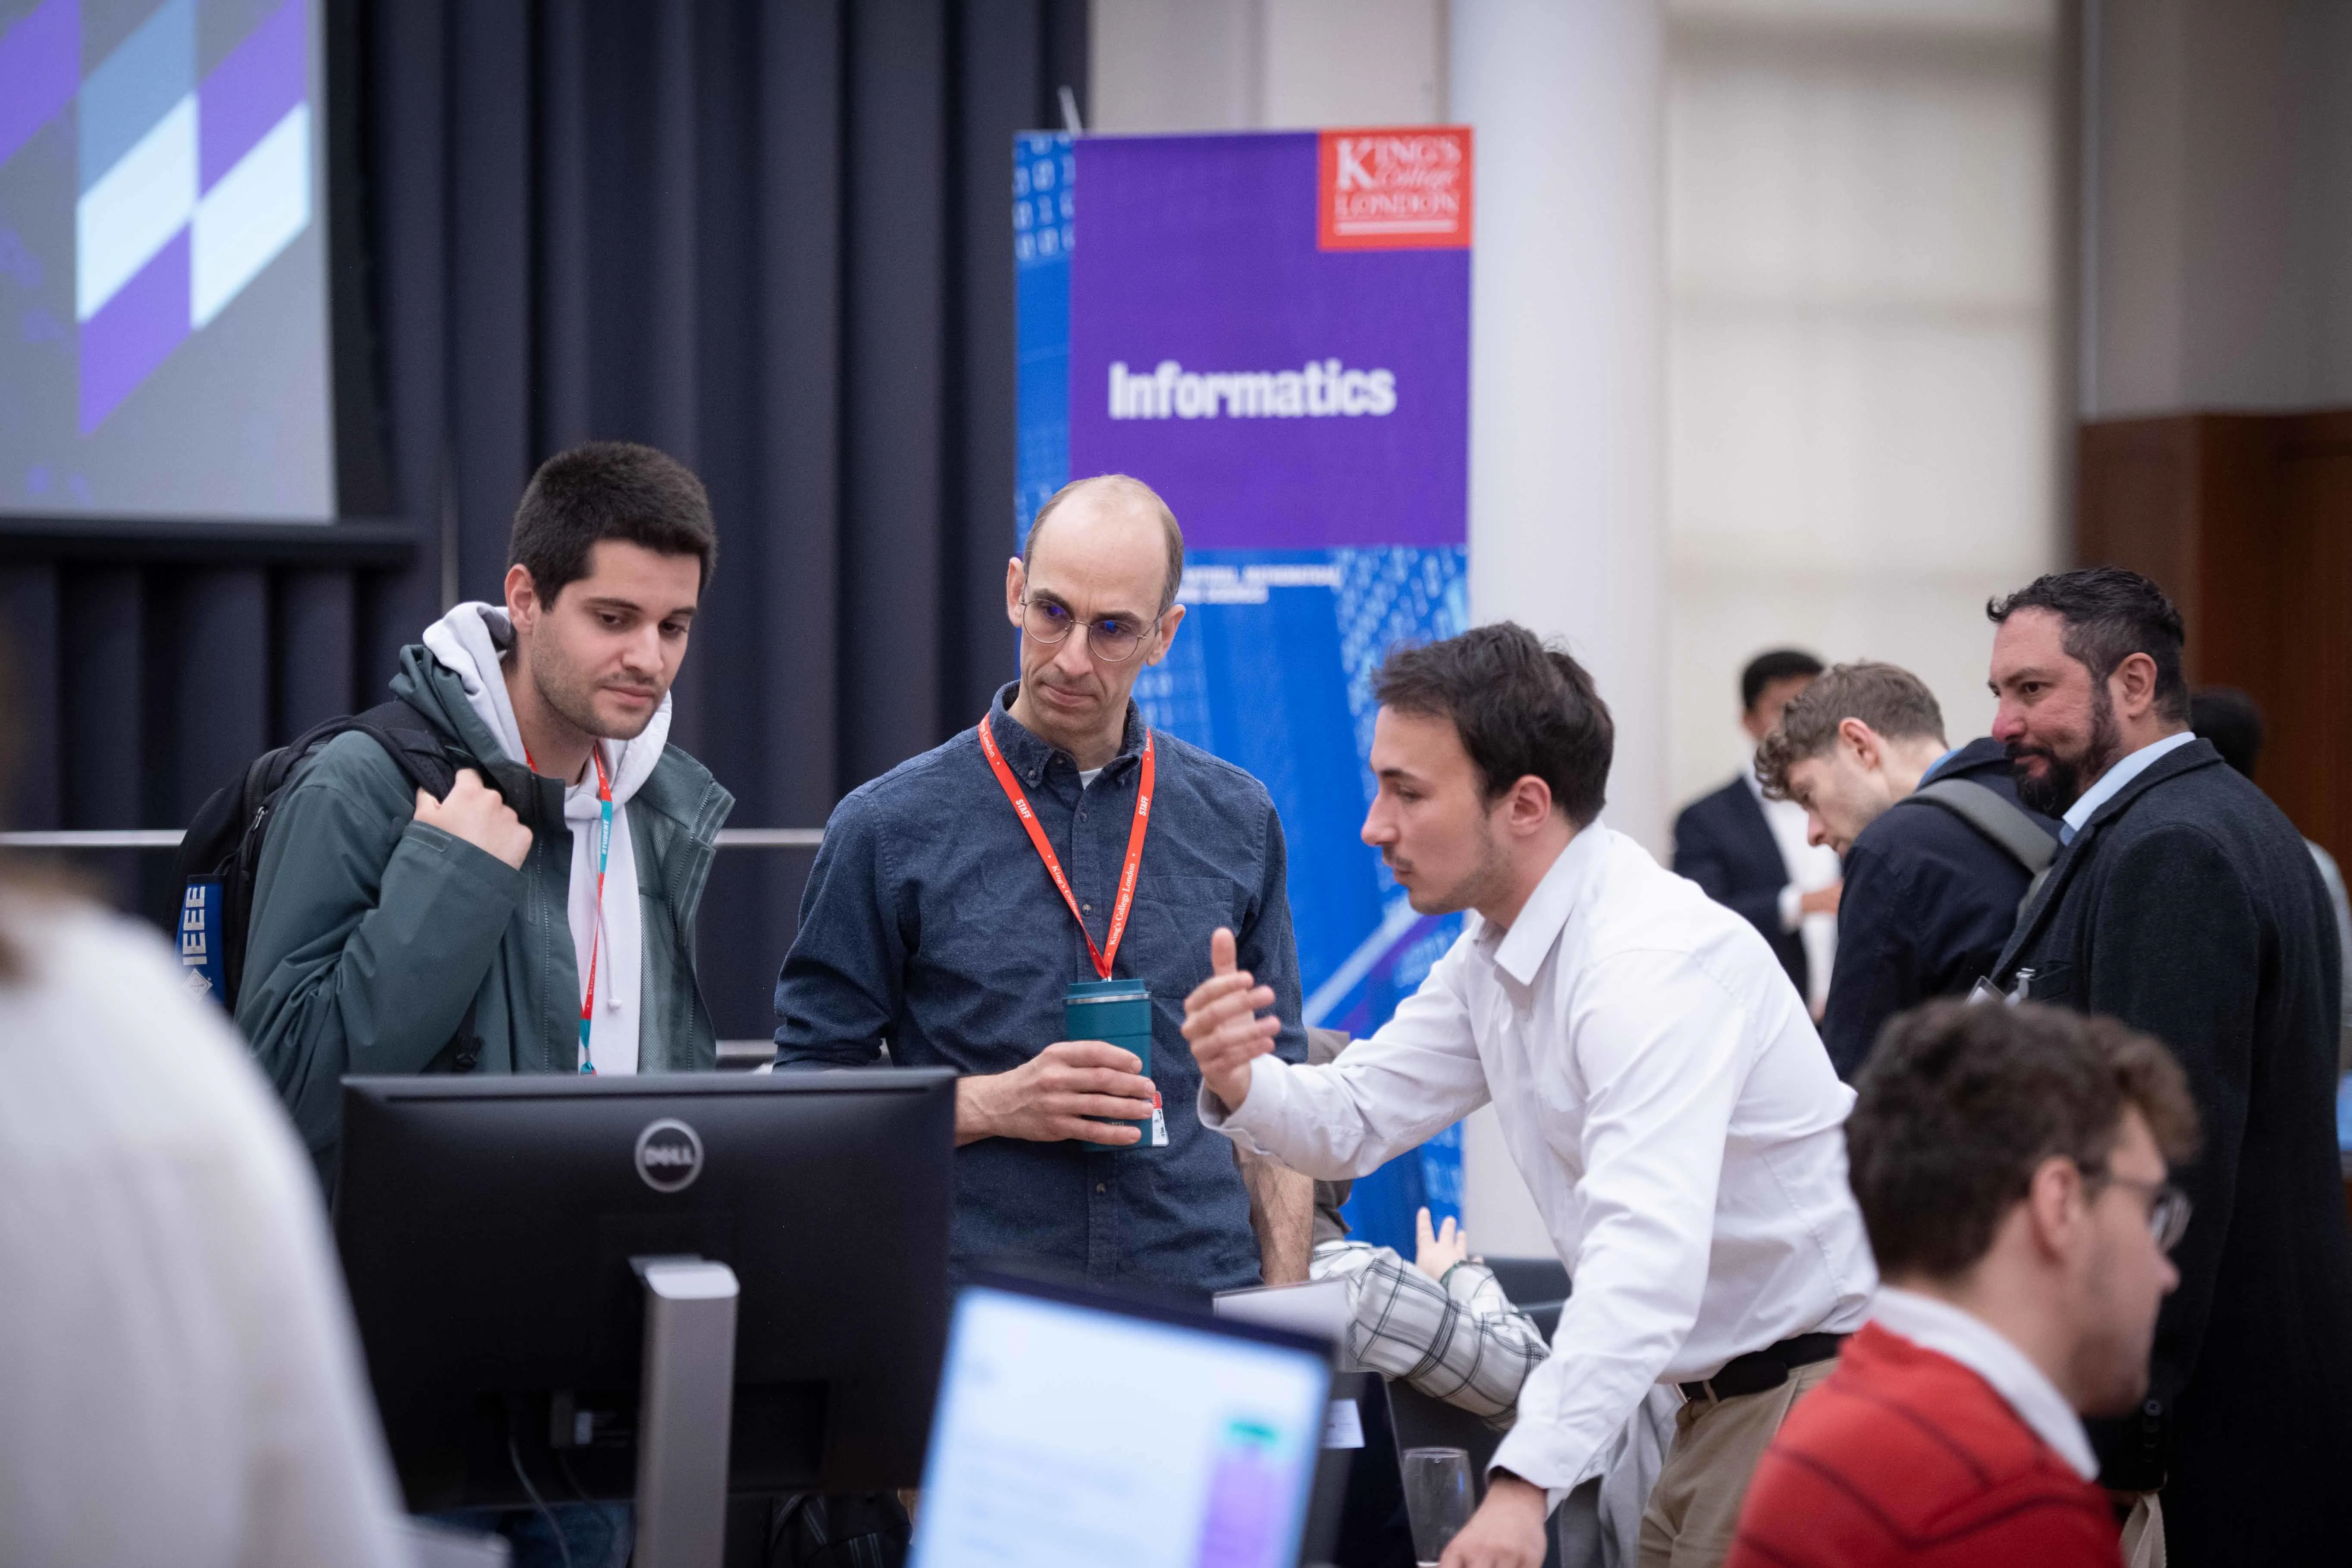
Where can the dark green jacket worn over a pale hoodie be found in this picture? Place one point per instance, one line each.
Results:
(373, 930)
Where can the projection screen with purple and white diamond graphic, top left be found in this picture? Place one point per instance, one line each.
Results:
(156, 166)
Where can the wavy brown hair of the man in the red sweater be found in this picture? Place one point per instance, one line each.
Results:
(1960, 1104)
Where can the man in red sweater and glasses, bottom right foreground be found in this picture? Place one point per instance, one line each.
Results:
(2012, 1172)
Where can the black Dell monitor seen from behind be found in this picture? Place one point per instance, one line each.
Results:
(505, 1240)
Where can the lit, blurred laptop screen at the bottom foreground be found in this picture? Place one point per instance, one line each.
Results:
(1090, 1435)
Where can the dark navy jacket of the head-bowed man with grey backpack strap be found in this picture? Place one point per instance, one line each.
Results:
(1930, 904)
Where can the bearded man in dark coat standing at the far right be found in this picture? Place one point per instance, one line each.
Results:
(2189, 909)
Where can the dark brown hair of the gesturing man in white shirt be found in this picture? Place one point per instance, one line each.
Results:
(1518, 706)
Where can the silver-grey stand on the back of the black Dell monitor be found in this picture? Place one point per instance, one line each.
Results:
(686, 1412)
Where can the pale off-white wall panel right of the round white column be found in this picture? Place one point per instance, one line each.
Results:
(1864, 342)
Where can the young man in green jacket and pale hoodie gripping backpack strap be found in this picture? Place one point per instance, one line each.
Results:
(505, 930)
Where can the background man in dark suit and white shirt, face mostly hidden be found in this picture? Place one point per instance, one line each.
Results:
(1751, 852)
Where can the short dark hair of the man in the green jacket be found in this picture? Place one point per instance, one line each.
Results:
(610, 490)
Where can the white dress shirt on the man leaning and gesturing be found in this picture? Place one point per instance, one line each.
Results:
(1666, 1101)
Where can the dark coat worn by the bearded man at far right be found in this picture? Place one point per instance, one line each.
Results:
(2191, 909)
